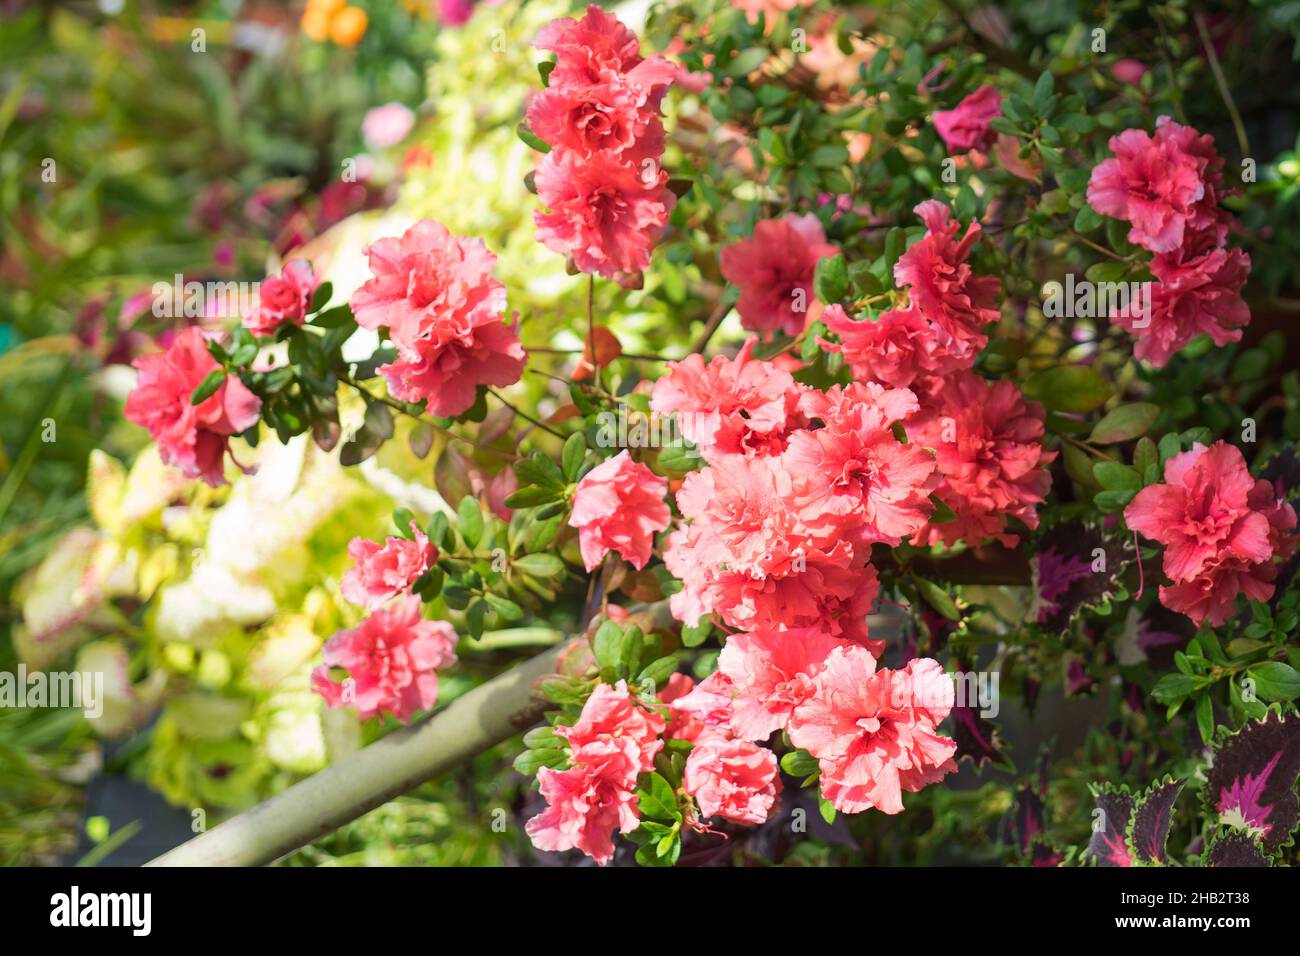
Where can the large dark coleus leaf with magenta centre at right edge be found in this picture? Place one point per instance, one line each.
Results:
(1253, 782)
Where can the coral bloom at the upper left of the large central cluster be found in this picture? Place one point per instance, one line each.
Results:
(730, 406)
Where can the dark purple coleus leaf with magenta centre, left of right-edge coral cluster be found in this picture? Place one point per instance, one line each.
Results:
(1074, 568)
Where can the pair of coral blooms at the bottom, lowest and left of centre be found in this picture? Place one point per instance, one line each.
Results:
(614, 741)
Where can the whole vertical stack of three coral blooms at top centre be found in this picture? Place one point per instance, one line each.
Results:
(603, 180)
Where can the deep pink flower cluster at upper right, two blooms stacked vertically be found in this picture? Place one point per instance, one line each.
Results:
(1168, 188)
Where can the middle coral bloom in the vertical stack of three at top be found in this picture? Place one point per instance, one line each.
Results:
(606, 118)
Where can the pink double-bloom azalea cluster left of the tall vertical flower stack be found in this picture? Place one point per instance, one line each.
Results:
(444, 310)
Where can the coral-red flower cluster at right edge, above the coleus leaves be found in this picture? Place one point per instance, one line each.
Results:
(1224, 531)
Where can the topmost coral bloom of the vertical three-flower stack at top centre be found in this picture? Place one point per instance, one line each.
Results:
(593, 50)
